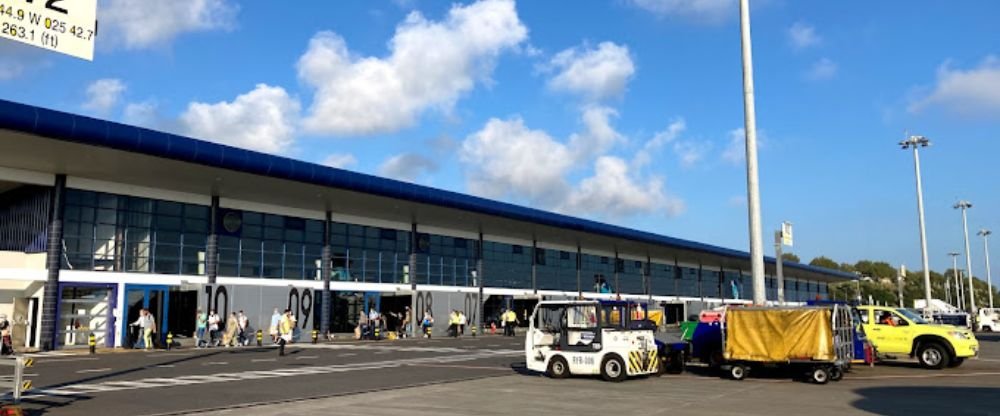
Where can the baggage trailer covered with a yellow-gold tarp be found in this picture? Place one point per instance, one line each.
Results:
(815, 339)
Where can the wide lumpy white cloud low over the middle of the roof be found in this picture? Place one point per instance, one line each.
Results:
(508, 160)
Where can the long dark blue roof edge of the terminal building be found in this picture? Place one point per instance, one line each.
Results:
(90, 131)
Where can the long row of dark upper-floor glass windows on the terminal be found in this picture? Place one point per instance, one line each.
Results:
(109, 232)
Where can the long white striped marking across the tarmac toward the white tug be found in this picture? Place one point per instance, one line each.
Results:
(82, 389)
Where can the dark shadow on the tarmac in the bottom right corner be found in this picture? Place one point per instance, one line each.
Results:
(928, 400)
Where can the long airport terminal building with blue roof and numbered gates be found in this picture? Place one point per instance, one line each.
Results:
(100, 219)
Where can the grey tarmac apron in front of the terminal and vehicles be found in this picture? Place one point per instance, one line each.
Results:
(473, 376)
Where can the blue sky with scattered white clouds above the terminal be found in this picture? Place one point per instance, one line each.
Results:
(624, 111)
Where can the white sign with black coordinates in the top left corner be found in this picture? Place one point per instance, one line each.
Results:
(65, 26)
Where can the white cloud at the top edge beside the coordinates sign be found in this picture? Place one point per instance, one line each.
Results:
(141, 24)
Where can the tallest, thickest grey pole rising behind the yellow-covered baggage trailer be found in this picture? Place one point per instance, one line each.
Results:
(753, 186)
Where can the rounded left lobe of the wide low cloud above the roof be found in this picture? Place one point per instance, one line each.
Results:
(507, 159)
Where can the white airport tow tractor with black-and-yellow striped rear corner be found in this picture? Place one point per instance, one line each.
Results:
(587, 338)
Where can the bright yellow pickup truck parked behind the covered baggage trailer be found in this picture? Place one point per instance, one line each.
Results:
(898, 332)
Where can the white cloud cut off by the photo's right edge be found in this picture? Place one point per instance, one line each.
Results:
(971, 93)
